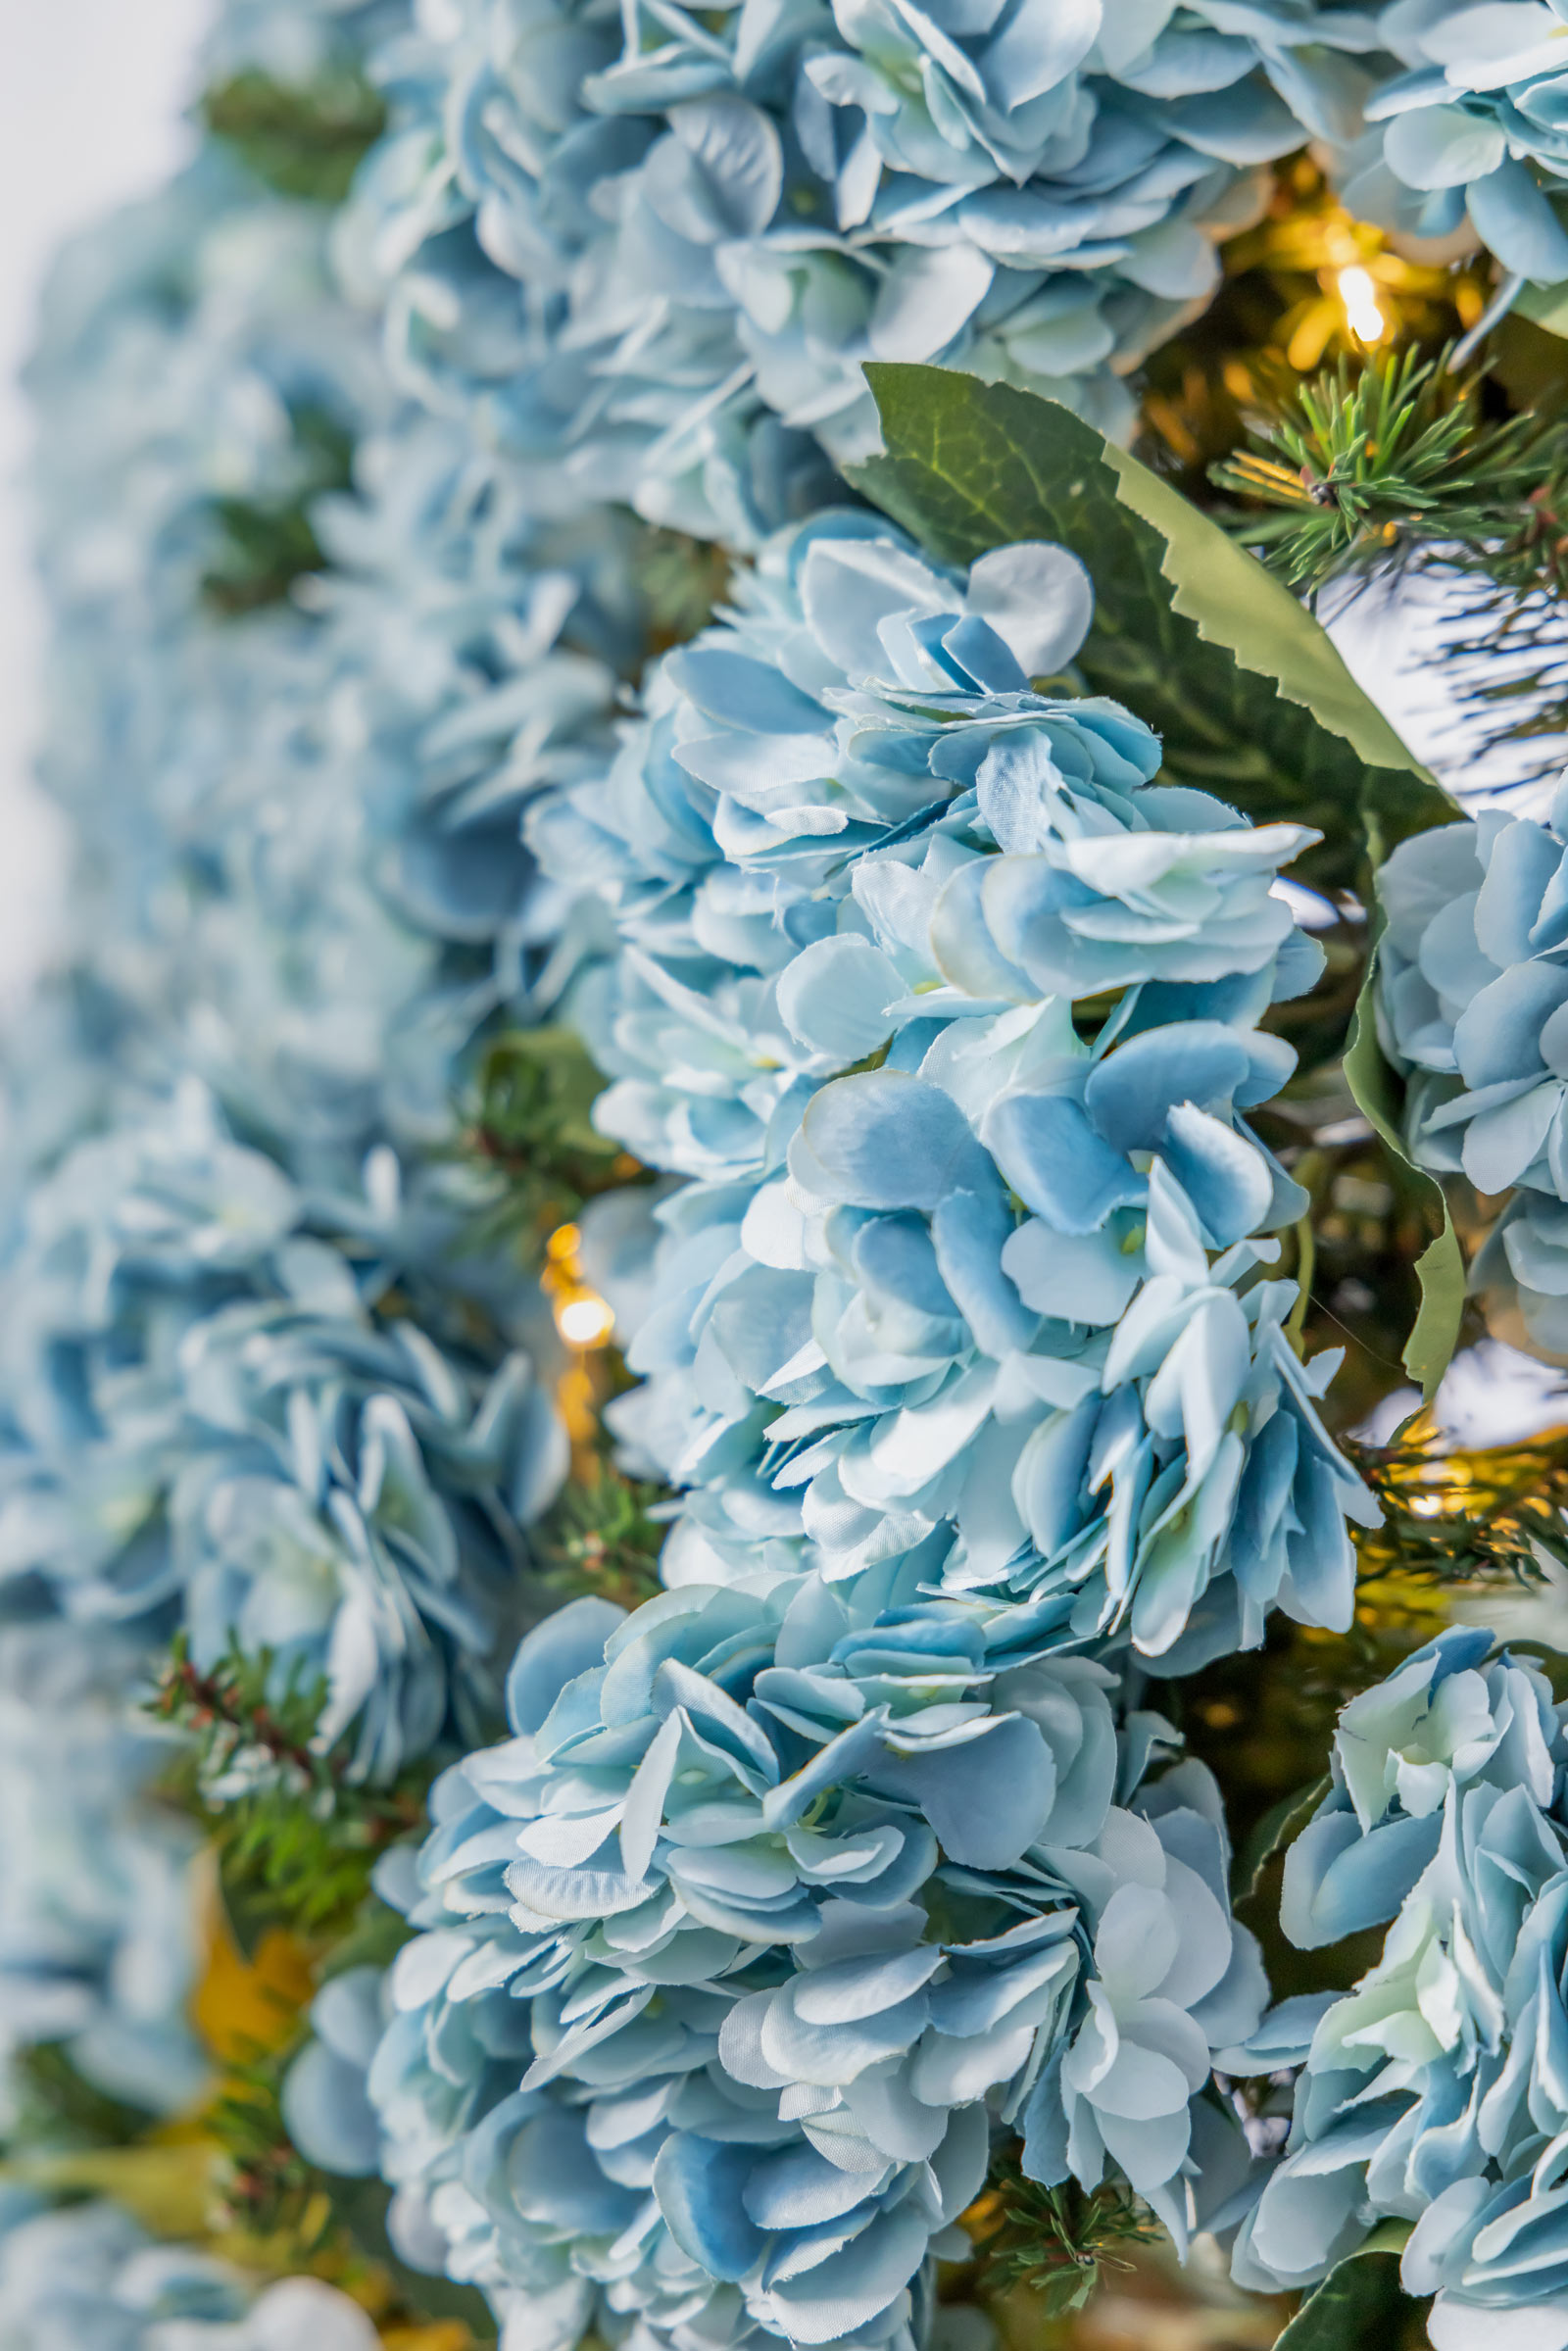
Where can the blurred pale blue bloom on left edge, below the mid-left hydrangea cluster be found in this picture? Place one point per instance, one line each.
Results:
(98, 1929)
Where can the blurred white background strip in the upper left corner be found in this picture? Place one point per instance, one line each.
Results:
(93, 100)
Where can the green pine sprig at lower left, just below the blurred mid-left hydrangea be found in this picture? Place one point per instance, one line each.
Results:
(297, 1837)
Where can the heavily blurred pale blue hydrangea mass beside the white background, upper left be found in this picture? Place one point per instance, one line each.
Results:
(314, 888)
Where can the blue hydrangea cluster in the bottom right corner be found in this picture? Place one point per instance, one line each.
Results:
(1435, 2091)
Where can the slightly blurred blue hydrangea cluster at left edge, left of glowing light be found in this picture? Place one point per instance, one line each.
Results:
(222, 1405)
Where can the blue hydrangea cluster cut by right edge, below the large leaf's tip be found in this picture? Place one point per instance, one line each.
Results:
(1473, 982)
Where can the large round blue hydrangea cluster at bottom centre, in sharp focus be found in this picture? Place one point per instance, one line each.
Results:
(732, 1955)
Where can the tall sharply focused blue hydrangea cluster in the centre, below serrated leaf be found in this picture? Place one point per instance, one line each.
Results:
(951, 1017)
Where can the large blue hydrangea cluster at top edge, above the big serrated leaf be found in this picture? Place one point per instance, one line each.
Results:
(643, 264)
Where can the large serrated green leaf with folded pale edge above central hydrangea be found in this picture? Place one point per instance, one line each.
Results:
(1193, 634)
